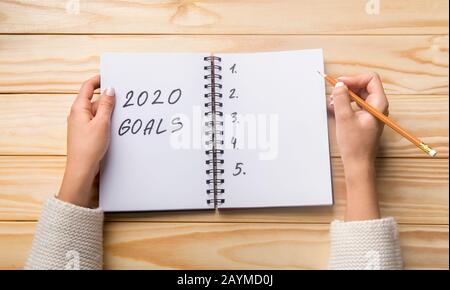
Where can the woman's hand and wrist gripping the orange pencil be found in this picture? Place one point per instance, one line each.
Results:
(358, 135)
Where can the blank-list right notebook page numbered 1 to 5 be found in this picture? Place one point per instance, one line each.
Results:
(283, 85)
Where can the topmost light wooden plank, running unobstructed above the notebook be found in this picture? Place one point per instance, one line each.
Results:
(225, 17)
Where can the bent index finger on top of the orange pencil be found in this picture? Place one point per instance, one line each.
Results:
(370, 82)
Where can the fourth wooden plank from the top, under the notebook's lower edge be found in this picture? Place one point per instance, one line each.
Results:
(412, 190)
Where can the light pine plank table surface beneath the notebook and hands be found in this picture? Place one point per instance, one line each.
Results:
(47, 48)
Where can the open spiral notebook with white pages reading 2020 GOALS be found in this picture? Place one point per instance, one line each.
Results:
(200, 131)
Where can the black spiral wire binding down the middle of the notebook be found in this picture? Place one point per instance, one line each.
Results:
(214, 131)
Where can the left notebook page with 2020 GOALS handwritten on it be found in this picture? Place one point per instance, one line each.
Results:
(146, 172)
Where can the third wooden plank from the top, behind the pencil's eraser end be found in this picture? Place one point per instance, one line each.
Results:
(36, 124)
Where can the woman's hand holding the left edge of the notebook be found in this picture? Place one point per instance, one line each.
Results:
(88, 134)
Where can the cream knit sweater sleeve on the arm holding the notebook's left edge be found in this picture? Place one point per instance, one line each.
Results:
(67, 237)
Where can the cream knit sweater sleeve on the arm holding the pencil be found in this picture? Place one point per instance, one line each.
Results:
(365, 245)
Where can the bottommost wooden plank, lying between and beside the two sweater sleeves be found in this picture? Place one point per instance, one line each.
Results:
(226, 246)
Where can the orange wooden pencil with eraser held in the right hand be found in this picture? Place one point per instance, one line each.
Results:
(385, 119)
